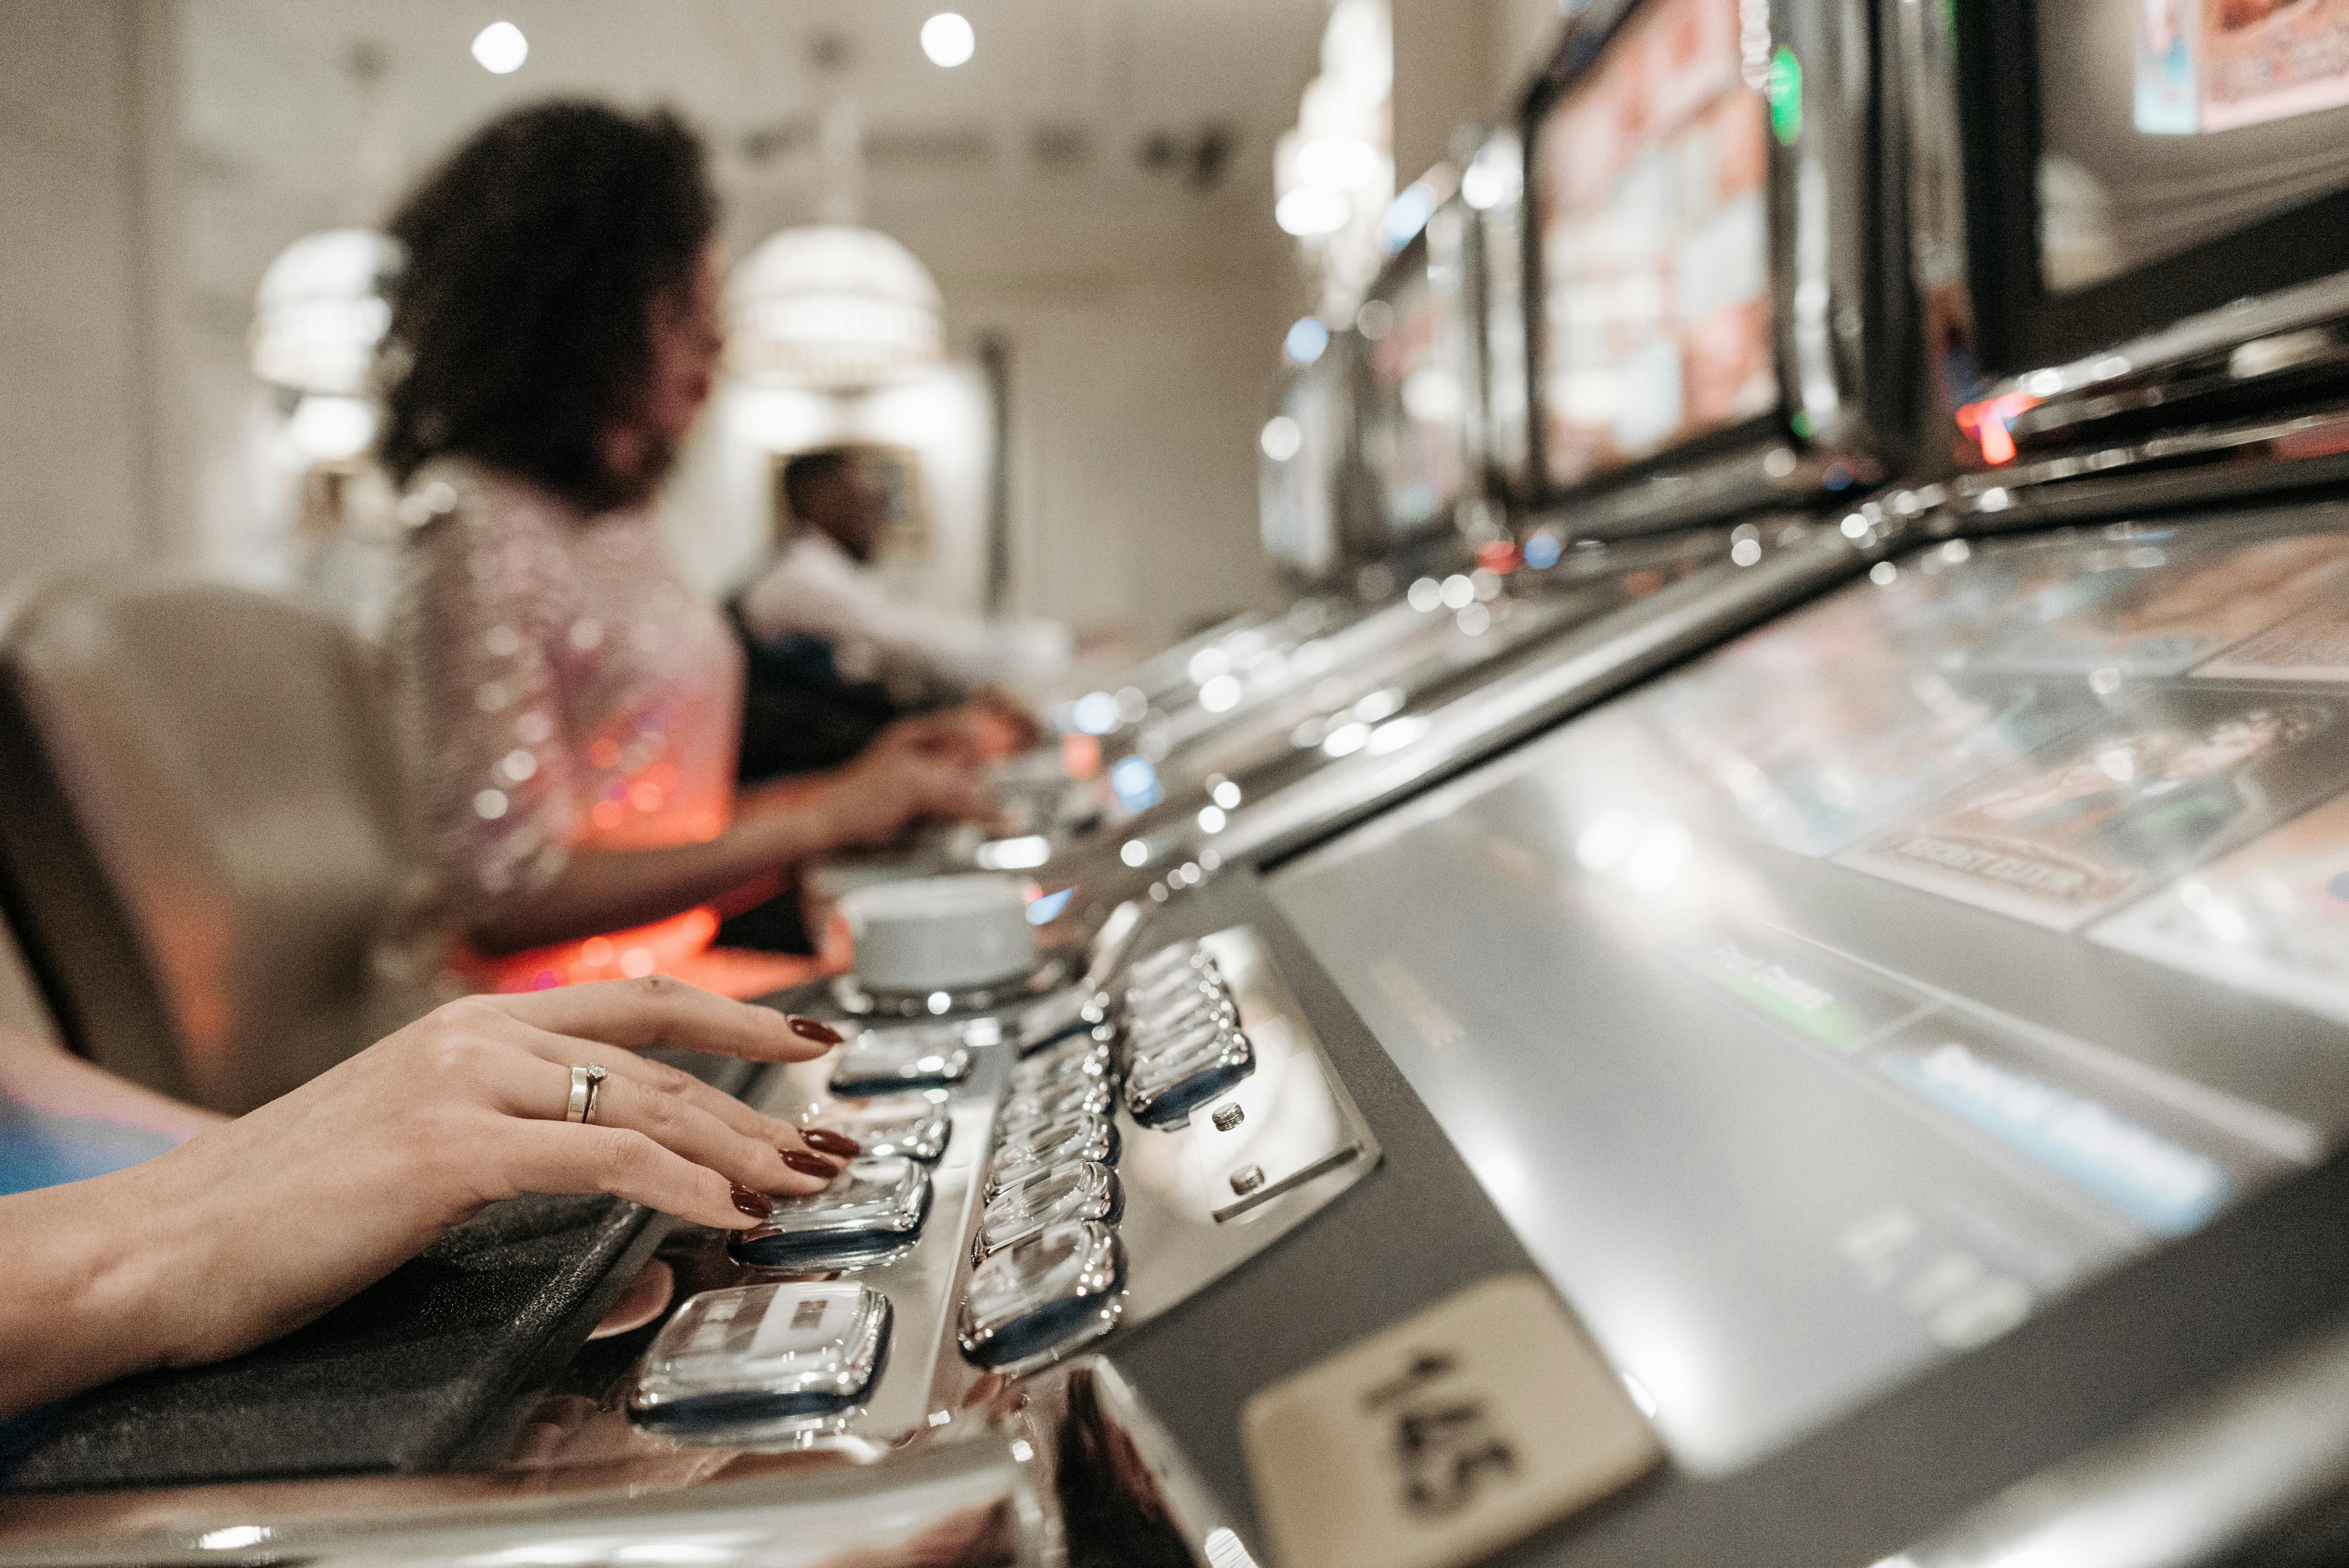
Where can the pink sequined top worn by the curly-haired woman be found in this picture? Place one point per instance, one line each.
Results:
(556, 689)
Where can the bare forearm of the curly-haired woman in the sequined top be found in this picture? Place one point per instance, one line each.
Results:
(607, 891)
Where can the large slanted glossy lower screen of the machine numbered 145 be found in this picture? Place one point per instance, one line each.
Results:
(1822, 1011)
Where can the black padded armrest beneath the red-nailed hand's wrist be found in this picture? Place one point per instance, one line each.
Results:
(419, 1372)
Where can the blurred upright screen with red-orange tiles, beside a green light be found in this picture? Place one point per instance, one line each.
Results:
(1653, 219)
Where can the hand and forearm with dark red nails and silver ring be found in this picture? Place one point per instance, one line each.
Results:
(262, 1224)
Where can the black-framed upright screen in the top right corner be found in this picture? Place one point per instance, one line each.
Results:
(2186, 154)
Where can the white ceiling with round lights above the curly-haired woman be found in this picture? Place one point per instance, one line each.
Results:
(278, 144)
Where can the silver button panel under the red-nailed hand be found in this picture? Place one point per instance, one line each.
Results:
(1037, 1177)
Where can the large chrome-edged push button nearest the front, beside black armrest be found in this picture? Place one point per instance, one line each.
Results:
(762, 1360)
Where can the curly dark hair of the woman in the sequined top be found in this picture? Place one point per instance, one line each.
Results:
(534, 259)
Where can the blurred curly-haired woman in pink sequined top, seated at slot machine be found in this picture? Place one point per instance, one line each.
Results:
(570, 710)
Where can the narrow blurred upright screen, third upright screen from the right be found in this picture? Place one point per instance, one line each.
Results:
(1415, 391)
